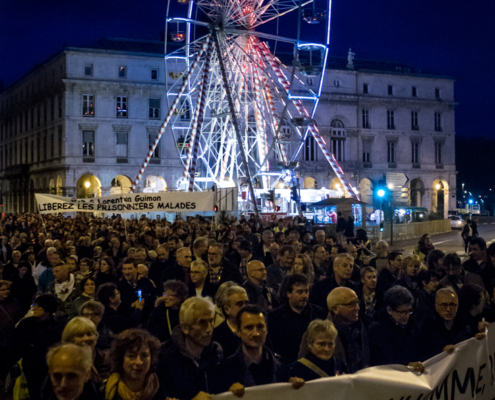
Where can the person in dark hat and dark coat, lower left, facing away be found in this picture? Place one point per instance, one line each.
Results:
(33, 337)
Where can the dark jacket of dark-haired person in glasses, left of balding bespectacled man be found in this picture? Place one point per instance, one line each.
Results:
(390, 343)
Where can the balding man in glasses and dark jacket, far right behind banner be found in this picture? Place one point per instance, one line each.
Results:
(444, 330)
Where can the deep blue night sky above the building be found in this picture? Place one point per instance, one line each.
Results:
(445, 37)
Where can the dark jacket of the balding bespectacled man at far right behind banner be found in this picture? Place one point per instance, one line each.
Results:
(433, 336)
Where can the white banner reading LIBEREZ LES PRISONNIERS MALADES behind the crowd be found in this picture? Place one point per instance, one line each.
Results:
(128, 203)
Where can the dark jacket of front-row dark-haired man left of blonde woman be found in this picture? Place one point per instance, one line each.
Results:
(269, 370)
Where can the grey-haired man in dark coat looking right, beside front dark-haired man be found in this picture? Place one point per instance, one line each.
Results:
(189, 362)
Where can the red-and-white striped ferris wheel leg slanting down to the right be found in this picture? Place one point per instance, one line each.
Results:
(314, 130)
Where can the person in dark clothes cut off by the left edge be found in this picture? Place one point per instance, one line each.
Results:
(10, 313)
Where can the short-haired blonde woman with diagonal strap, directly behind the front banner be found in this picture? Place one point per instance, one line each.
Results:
(318, 362)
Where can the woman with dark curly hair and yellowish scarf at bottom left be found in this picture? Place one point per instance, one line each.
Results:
(134, 356)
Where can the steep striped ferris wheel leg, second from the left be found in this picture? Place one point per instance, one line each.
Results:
(198, 120)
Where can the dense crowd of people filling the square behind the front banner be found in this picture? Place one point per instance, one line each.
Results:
(94, 308)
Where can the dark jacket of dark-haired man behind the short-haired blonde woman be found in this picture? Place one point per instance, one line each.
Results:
(286, 328)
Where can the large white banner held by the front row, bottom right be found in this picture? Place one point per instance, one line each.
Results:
(468, 373)
